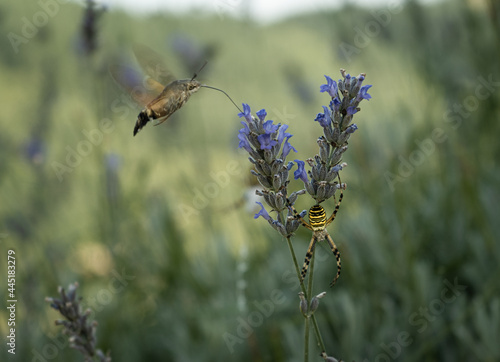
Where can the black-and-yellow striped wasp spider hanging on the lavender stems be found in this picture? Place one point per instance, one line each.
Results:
(318, 224)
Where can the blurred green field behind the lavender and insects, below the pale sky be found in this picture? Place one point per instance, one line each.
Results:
(170, 269)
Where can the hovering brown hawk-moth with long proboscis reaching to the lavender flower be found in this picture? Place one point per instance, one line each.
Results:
(159, 101)
